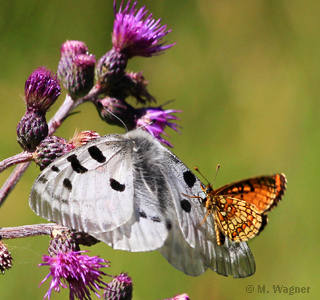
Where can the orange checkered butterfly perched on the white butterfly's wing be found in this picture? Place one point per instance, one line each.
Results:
(240, 208)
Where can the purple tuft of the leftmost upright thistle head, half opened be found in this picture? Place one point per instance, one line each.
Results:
(42, 89)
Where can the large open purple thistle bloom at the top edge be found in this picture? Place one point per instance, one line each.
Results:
(137, 35)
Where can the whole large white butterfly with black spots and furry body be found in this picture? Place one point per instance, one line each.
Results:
(127, 190)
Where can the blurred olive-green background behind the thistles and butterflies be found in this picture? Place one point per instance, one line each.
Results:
(245, 74)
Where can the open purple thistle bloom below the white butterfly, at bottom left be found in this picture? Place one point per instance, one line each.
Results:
(81, 272)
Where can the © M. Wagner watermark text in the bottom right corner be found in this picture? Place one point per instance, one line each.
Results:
(278, 289)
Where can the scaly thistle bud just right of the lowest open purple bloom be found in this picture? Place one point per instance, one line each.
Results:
(120, 288)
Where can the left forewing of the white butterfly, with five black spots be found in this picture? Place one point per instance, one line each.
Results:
(88, 188)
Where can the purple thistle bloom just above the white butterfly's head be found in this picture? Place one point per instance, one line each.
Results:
(160, 118)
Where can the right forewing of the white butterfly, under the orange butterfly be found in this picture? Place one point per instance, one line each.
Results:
(229, 259)
